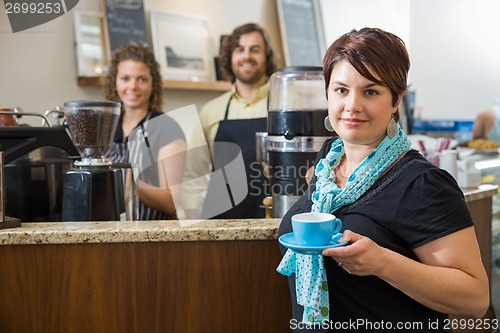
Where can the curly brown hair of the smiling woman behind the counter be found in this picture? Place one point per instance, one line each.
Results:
(139, 53)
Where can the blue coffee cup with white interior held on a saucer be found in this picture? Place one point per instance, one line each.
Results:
(315, 229)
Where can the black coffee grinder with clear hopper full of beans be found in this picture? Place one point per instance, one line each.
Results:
(93, 189)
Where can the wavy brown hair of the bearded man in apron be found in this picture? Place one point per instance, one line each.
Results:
(231, 42)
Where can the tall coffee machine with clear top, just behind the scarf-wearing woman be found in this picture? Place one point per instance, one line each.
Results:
(295, 132)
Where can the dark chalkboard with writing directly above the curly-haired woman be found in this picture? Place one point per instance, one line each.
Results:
(126, 23)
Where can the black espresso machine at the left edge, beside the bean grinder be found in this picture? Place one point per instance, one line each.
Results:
(36, 160)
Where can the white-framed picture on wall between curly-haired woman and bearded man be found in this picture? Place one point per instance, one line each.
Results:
(183, 46)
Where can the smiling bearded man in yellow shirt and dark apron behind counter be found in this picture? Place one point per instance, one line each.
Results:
(247, 60)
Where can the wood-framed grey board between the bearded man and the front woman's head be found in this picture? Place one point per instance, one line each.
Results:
(301, 27)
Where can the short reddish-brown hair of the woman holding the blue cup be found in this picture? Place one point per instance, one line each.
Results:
(384, 52)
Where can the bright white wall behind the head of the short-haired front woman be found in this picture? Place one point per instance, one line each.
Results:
(454, 47)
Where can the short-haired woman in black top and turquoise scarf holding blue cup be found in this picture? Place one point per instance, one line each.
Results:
(411, 254)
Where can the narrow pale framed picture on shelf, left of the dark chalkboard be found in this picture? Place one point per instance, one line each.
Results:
(92, 55)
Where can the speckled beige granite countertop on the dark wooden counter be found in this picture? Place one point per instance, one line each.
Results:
(161, 231)
